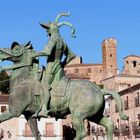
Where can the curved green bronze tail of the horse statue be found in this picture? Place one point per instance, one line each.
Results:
(119, 103)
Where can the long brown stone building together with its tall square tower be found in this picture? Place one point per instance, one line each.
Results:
(96, 72)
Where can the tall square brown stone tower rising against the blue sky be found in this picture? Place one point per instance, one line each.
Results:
(109, 57)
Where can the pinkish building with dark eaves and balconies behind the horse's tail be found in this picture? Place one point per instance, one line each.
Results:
(130, 129)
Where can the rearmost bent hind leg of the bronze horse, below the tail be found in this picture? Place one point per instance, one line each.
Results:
(109, 125)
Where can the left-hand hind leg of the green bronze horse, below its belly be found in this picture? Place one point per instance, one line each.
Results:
(78, 123)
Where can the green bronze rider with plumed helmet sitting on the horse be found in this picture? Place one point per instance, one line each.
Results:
(54, 51)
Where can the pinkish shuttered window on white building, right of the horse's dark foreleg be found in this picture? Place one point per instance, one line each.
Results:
(49, 132)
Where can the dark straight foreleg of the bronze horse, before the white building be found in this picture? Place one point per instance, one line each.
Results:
(34, 128)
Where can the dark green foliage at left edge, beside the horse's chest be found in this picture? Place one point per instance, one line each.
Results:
(4, 82)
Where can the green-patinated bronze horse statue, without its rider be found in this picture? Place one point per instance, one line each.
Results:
(80, 98)
